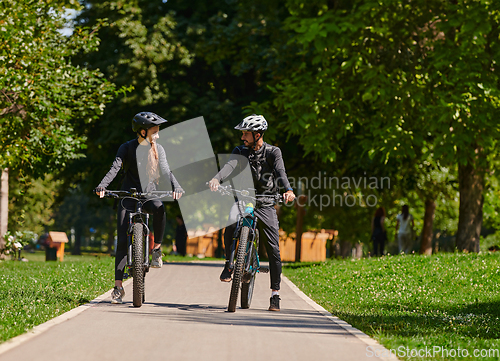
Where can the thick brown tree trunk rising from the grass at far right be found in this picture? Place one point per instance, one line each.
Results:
(470, 218)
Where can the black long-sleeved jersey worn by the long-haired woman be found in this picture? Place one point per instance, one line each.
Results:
(131, 159)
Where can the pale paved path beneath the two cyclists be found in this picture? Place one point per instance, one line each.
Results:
(185, 318)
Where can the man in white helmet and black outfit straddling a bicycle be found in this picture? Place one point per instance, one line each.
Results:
(267, 167)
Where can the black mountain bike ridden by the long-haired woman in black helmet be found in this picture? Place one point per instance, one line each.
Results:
(138, 238)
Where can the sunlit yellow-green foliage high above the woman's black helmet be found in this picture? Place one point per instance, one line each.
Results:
(140, 46)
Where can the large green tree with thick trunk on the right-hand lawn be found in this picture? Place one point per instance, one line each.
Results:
(418, 77)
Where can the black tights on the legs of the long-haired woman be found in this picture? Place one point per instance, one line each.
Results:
(154, 207)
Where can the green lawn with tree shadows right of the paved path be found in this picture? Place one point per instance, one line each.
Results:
(412, 302)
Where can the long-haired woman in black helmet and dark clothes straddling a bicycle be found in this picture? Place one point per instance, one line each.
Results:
(140, 158)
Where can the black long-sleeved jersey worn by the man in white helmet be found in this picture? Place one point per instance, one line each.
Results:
(266, 164)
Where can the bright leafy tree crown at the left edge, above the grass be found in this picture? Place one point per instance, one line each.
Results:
(44, 98)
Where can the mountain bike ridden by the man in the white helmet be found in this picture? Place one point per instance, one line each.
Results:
(244, 260)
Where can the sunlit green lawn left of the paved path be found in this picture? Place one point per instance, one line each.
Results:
(34, 292)
